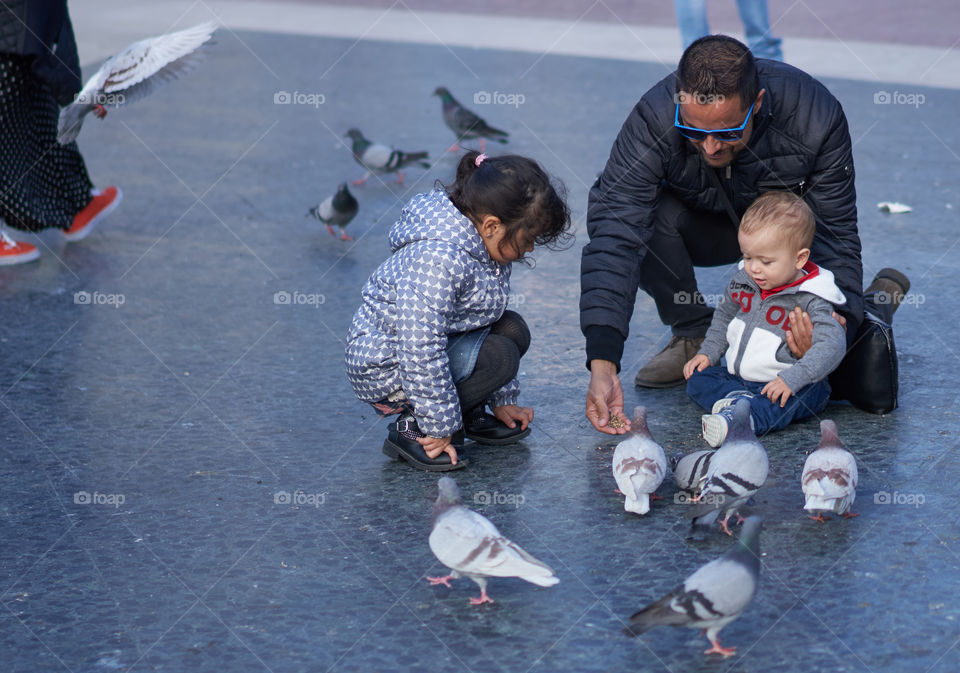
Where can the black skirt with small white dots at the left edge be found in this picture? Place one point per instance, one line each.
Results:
(42, 183)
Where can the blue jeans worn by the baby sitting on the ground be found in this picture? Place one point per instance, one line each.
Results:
(714, 383)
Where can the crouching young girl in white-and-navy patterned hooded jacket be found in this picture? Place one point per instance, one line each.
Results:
(433, 340)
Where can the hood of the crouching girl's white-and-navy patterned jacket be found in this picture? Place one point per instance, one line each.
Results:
(431, 216)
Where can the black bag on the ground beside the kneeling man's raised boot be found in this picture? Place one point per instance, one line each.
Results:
(868, 377)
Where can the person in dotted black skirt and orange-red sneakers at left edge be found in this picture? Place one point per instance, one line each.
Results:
(42, 184)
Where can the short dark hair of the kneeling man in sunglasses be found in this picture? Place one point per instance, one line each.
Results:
(718, 65)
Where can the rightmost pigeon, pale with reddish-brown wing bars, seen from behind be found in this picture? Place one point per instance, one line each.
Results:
(829, 477)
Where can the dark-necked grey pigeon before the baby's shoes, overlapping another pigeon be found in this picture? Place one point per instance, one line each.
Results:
(737, 471)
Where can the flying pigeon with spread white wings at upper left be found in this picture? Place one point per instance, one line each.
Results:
(132, 74)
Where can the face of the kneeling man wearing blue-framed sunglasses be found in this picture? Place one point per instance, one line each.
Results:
(725, 113)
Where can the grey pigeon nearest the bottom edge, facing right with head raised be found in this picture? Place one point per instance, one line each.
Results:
(713, 596)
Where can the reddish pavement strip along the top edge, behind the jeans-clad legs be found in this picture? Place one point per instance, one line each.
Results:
(931, 23)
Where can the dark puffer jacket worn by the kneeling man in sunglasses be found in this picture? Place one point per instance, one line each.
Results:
(799, 142)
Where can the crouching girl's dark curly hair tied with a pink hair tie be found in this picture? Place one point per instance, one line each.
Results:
(518, 192)
